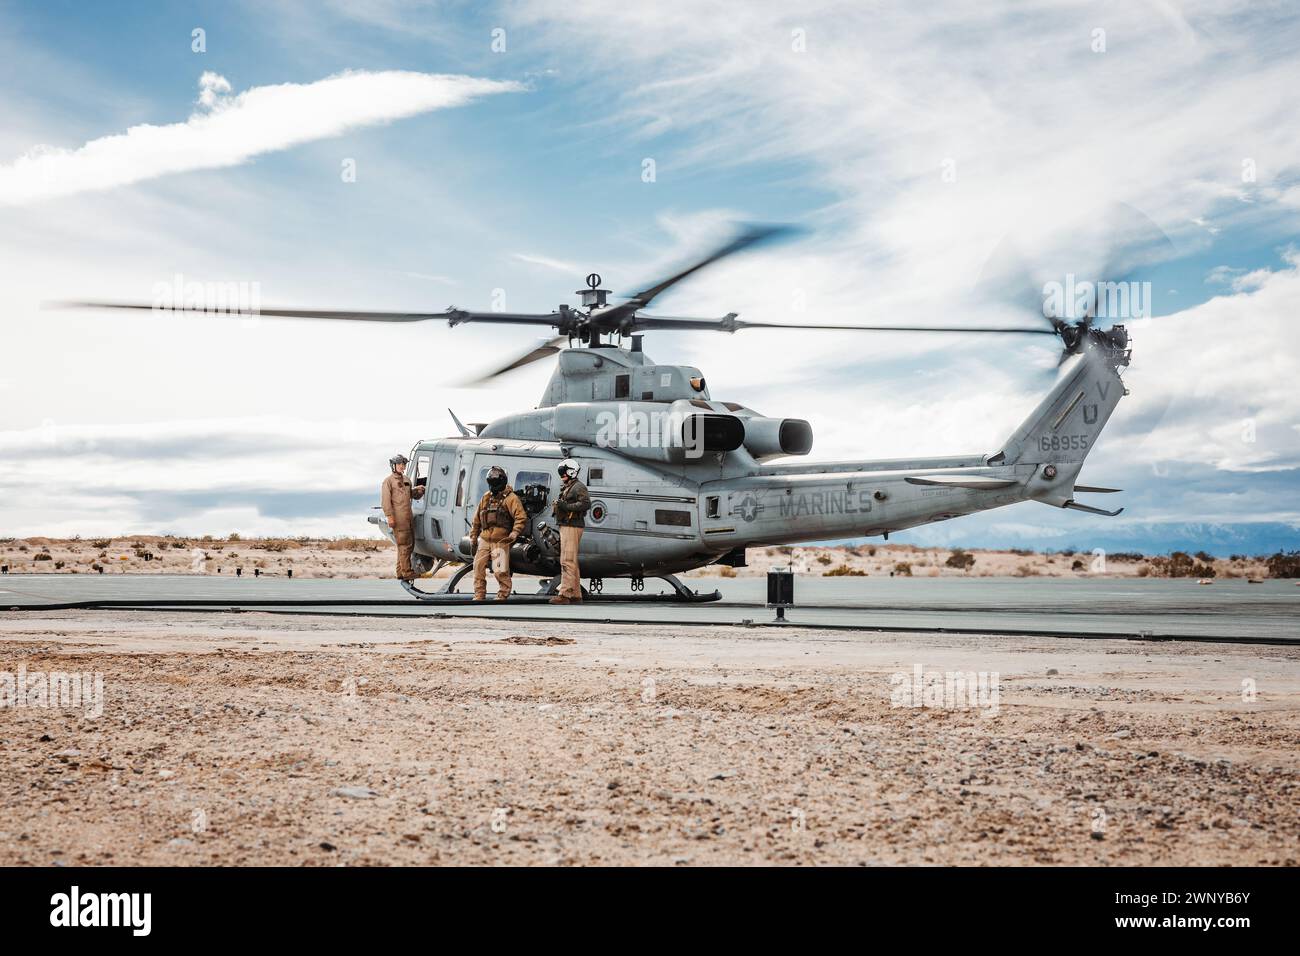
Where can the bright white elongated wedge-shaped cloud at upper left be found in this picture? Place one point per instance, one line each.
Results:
(228, 131)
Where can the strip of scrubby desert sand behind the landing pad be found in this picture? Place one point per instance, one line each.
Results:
(376, 559)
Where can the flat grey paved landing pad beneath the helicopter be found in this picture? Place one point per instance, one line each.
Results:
(1229, 611)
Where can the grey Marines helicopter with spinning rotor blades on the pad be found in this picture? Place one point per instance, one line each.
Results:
(681, 481)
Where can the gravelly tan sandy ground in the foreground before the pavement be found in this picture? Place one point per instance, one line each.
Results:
(278, 739)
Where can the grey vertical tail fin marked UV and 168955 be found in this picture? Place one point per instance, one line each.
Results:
(1064, 429)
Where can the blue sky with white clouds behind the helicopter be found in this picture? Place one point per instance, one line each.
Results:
(843, 119)
